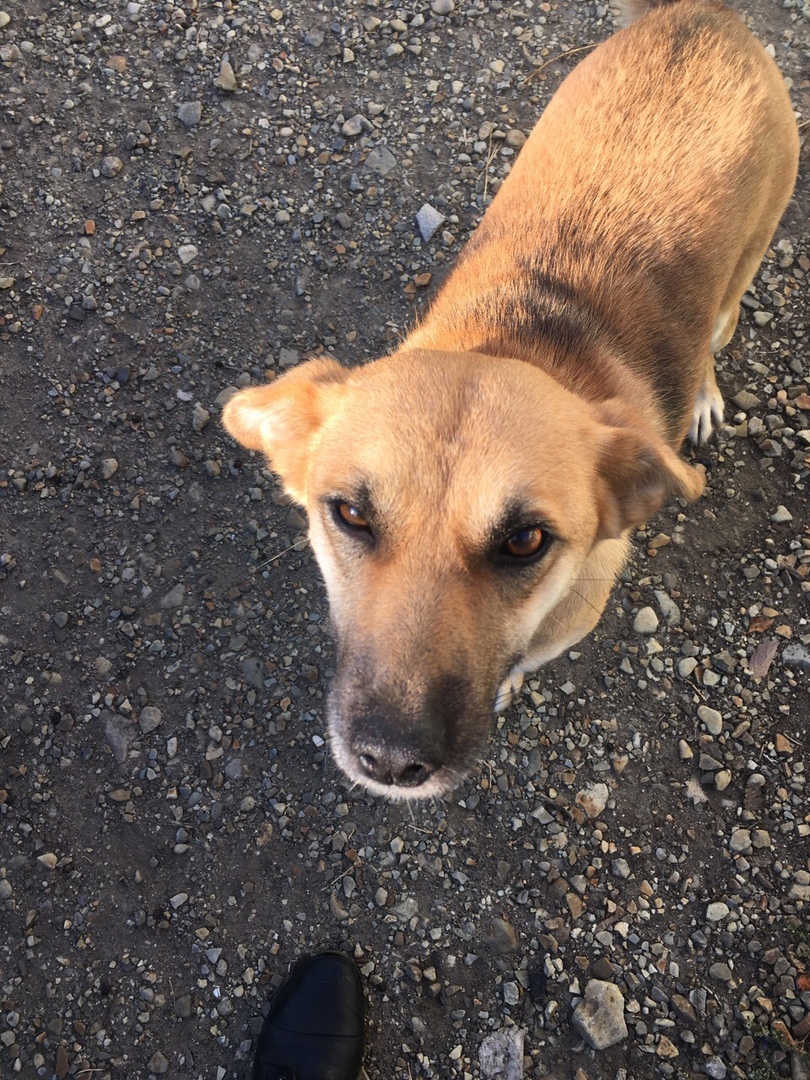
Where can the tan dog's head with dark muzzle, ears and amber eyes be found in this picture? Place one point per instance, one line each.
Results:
(456, 505)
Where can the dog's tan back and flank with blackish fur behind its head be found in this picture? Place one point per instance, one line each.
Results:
(636, 215)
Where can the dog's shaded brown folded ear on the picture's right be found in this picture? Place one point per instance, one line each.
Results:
(637, 472)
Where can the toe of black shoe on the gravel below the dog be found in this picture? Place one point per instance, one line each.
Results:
(316, 1028)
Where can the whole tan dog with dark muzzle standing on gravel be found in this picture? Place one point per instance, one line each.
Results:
(470, 496)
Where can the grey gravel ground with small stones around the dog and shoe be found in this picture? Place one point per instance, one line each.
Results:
(194, 195)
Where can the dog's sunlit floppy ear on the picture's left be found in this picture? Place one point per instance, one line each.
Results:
(285, 417)
